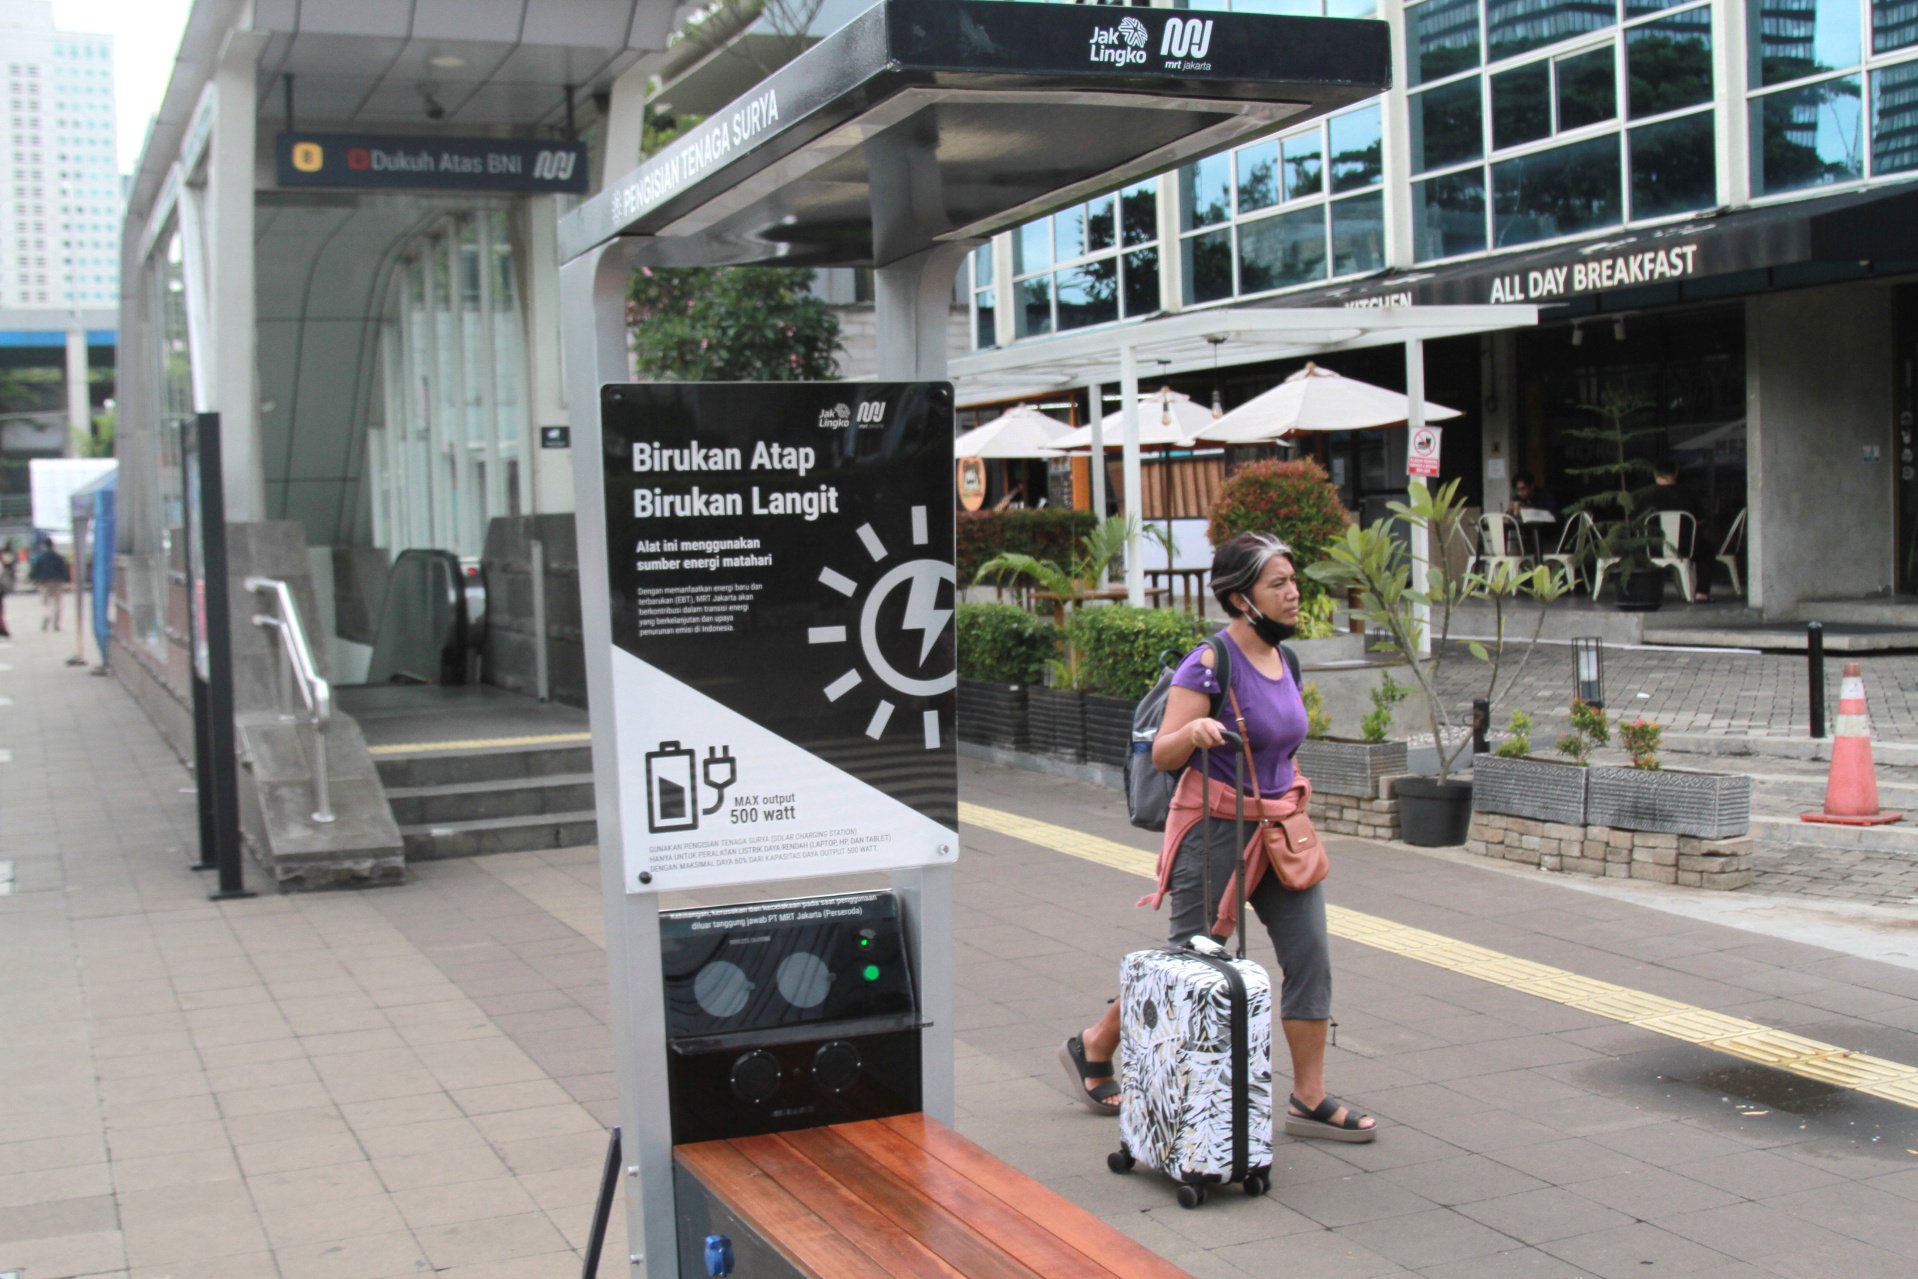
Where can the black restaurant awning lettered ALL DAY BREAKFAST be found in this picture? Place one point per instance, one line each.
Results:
(1710, 256)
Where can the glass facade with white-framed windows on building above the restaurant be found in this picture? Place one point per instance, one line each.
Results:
(1512, 126)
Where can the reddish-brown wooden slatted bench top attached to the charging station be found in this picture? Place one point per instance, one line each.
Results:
(901, 1198)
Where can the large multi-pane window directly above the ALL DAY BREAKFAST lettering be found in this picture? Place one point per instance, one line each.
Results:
(1537, 120)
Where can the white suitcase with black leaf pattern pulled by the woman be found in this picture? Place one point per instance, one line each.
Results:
(1196, 1065)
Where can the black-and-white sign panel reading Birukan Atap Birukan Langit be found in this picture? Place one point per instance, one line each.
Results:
(782, 592)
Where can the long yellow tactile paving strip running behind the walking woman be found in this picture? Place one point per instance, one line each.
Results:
(1620, 1004)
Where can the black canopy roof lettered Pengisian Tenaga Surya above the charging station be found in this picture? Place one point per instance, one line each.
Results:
(929, 122)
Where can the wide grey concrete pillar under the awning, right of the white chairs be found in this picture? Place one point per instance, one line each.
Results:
(1817, 407)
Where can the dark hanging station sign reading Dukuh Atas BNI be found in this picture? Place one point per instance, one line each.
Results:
(433, 164)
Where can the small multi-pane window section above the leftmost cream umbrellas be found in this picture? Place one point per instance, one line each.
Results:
(1087, 266)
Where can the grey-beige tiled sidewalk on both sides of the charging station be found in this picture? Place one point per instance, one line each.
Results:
(417, 1081)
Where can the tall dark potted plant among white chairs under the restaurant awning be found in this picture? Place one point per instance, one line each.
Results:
(1622, 544)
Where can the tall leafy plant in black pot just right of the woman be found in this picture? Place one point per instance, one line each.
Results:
(1397, 601)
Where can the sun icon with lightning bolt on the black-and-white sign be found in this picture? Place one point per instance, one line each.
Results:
(924, 582)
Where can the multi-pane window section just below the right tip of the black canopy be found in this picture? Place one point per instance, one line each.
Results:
(1284, 212)
